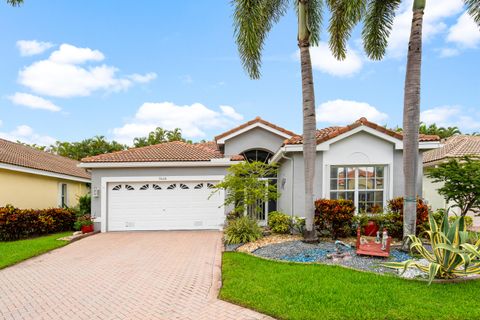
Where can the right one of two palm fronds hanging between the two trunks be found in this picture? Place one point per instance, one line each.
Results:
(377, 26)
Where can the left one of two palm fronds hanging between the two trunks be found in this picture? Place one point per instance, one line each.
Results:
(345, 15)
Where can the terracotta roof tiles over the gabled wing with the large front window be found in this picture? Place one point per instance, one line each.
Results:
(328, 133)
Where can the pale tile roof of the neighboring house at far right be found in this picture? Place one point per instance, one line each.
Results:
(454, 147)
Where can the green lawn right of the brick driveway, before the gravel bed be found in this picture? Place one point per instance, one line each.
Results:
(296, 291)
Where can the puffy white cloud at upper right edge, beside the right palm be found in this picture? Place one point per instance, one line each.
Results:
(465, 32)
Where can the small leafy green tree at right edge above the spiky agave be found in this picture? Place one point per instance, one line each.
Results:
(461, 181)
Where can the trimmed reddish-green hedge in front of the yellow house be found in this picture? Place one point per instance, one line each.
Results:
(23, 223)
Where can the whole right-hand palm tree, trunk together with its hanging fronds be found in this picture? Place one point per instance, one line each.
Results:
(377, 17)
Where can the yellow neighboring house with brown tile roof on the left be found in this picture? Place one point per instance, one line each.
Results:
(30, 178)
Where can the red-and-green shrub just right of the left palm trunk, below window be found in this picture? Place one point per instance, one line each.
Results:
(334, 216)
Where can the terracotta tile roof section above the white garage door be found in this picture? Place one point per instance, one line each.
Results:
(163, 152)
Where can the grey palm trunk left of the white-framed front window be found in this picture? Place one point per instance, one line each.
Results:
(309, 120)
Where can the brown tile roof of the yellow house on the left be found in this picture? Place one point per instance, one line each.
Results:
(24, 156)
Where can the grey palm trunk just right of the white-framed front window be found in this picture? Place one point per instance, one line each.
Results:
(411, 121)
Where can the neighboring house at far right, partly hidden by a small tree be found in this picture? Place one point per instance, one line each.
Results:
(454, 147)
